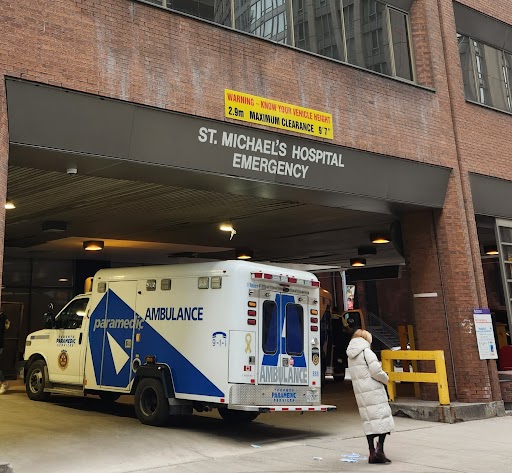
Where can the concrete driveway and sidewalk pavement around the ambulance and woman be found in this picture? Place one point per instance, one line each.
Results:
(73, 435)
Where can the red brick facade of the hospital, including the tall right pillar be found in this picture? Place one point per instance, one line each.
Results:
(132, 51)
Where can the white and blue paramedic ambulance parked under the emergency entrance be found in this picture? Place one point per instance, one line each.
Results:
(238, 336)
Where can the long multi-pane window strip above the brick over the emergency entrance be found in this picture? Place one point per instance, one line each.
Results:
(368, 33)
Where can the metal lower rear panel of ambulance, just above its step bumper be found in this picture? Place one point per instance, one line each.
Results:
(273, 394)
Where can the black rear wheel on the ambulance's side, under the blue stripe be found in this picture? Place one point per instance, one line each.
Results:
(151, 405)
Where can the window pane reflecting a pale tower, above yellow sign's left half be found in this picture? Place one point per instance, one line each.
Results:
(268, 19)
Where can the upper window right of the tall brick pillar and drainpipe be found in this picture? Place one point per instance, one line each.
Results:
(486, 72)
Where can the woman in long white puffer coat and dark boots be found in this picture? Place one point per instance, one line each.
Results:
(369, 381)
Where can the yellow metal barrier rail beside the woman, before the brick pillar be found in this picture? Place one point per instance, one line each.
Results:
(439, 377)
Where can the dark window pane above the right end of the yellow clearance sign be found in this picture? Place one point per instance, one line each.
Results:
(318, 28)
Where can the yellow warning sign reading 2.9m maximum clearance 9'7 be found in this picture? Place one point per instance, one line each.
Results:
(253, 109)
